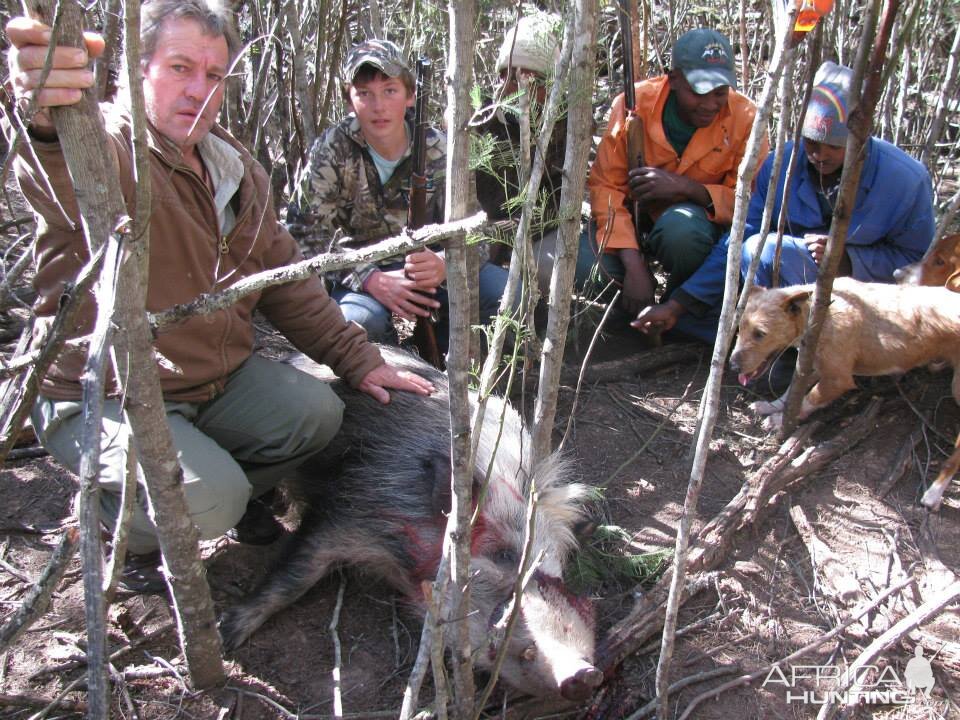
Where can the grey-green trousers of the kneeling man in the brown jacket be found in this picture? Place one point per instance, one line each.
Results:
(269, 418)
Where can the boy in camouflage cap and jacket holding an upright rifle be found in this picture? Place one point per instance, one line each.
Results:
(354, 191)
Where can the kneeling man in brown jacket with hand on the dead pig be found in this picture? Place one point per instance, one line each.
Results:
(239, 421)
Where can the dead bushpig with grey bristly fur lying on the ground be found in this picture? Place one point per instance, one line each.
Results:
(377, 497)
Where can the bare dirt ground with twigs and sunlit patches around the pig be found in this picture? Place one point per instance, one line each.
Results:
(630, 436)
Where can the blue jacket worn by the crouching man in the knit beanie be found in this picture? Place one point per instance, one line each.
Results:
(891, 224)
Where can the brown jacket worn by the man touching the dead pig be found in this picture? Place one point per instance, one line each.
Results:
(187, 258)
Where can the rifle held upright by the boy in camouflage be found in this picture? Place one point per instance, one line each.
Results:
(424, 332)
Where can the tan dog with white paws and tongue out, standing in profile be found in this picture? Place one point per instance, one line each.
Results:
(870, 329)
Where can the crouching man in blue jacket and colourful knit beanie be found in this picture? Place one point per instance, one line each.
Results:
(891, 225)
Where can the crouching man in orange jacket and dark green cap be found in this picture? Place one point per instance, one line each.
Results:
(695, 128)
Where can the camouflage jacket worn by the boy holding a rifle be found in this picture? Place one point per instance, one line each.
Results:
(340, 203)
